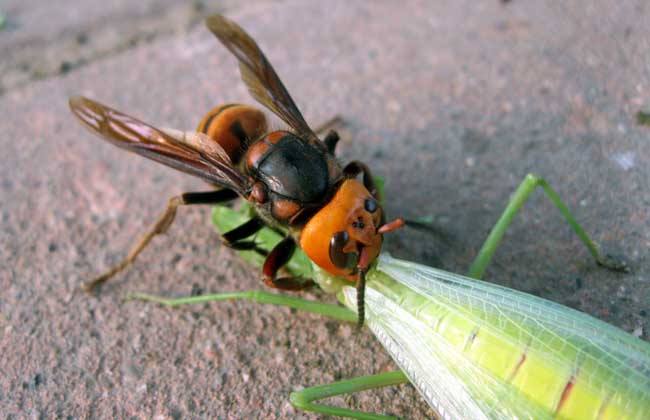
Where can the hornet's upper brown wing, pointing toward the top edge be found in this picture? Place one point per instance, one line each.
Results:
(258, 74)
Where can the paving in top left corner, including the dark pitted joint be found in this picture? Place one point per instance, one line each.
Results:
(45, 39)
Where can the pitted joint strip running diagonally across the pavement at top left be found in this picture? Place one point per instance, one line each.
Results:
(36, 56)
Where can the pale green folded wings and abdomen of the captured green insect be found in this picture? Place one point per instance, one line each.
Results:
(478, 350)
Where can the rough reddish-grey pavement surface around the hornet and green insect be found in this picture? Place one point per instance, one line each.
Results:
(452, 102)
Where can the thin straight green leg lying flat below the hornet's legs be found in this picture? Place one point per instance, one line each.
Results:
(259, 296)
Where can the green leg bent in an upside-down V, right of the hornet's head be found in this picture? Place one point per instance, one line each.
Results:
(525, 189)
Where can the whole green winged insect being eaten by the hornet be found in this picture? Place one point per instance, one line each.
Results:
(473, 349)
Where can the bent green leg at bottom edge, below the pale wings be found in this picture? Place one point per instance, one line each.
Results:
(304, 399)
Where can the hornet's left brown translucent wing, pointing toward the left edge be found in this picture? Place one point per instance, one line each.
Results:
(136, 136)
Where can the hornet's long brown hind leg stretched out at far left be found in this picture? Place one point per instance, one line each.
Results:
(160, 226)
